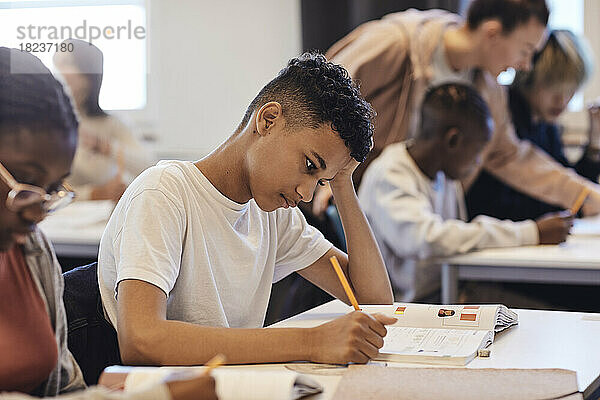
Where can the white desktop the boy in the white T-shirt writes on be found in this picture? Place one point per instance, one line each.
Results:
(543, 339)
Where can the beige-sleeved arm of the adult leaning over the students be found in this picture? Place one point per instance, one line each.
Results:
(525, 167)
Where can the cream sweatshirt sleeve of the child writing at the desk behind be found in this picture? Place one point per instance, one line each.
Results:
(409, 225)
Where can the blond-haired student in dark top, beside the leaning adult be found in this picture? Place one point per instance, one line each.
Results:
(536, 99)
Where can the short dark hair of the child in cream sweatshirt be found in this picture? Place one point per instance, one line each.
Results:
(454, 105)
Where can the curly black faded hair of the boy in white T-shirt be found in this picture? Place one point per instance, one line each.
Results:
(313, 91)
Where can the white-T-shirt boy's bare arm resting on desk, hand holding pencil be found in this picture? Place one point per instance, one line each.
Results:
(147, 337)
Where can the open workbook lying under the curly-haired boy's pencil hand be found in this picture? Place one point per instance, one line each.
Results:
(440, 334)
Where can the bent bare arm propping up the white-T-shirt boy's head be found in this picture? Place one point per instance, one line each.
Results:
(363, 265)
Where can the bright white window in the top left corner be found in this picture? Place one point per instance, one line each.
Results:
(117, 28)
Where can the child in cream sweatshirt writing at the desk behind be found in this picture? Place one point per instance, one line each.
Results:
(414, 201)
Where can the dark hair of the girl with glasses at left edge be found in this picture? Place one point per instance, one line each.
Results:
(31, 98)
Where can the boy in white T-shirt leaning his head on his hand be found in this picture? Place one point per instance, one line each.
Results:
(189, 255)
